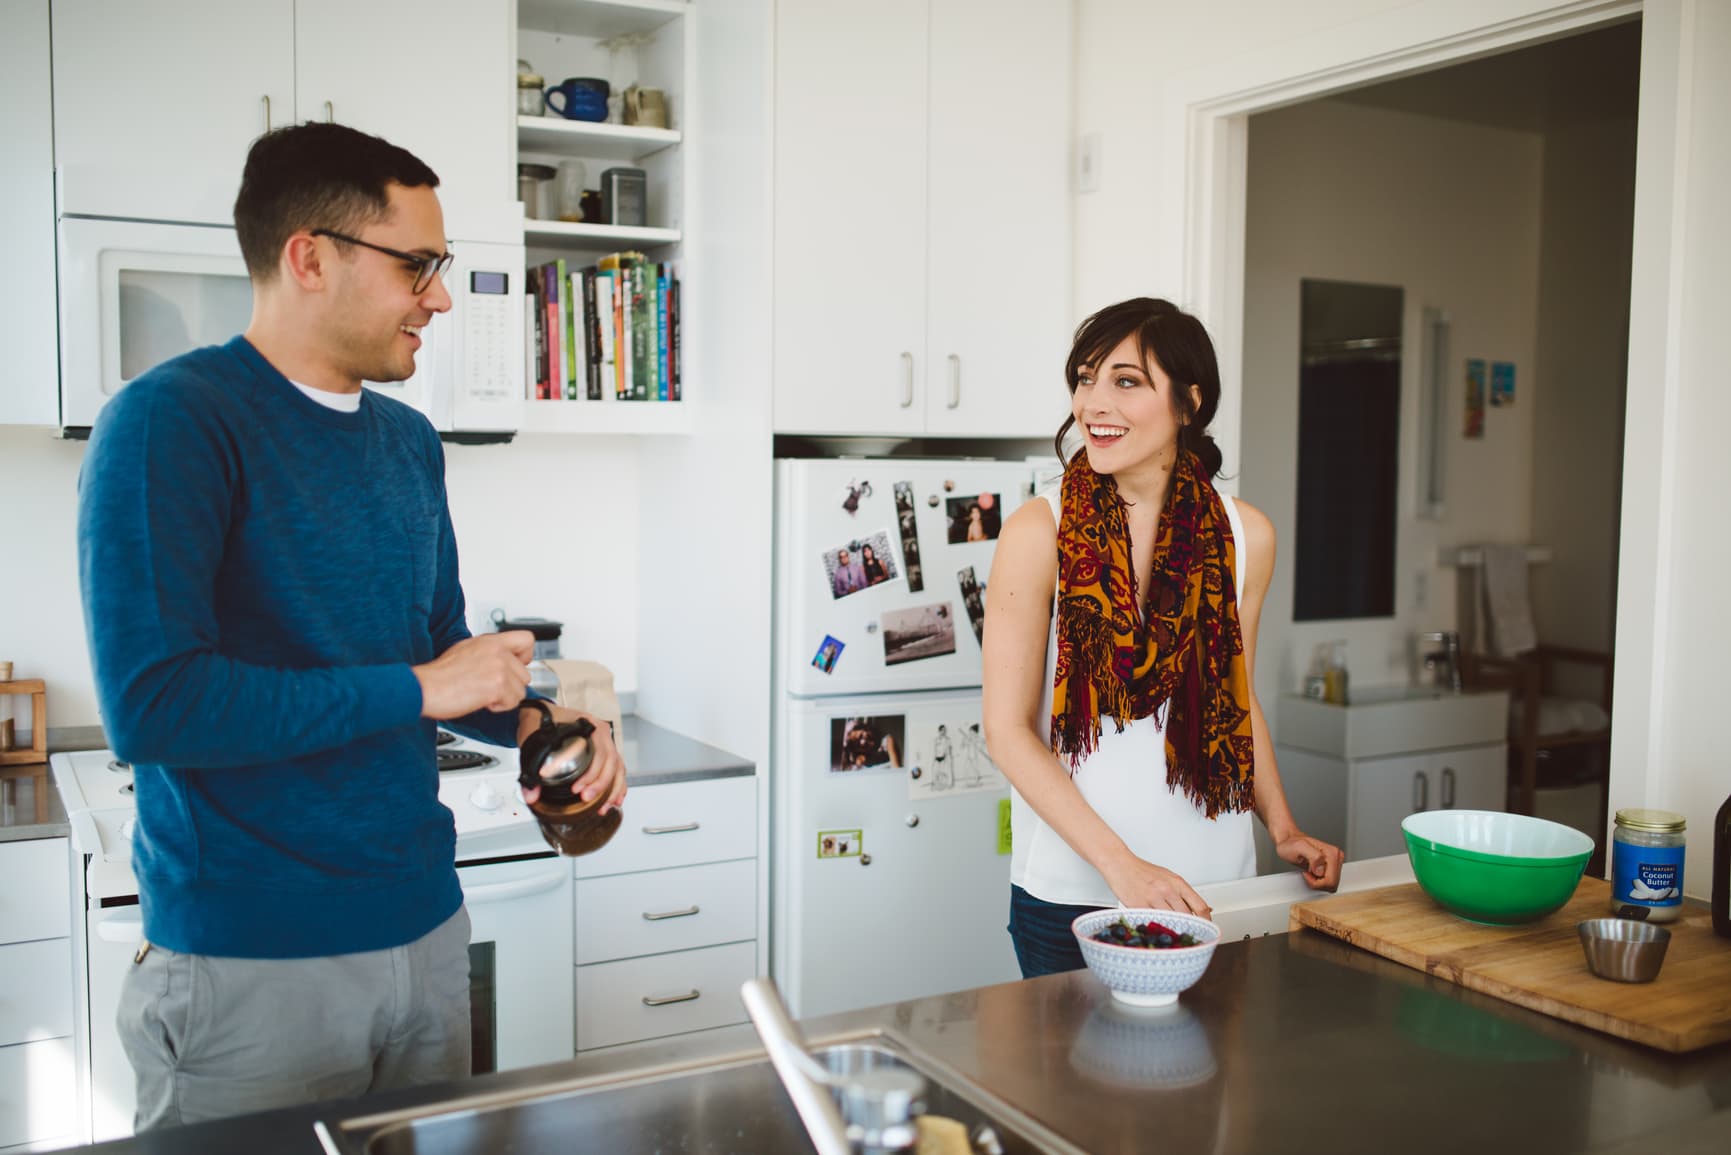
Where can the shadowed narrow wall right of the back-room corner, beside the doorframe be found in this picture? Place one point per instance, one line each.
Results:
(1583, 359)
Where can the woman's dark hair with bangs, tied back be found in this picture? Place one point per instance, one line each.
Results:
(1178, 344)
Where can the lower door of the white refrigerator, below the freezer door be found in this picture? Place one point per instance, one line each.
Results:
(892, 882)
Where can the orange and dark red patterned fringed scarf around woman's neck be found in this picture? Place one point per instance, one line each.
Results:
(1185, 654)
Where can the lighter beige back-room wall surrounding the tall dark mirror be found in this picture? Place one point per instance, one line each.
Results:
(1450, 214)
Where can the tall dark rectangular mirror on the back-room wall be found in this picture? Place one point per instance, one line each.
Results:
(1349, 437)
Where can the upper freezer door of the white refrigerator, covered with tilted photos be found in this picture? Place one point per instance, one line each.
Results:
(882, 571)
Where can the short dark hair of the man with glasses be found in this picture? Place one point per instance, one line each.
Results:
(316, 177)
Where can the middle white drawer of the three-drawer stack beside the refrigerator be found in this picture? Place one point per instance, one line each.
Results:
(657, 912)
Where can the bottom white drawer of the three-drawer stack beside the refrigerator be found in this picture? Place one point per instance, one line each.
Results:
(612, 1005)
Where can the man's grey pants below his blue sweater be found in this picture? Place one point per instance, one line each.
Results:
(219, 1036)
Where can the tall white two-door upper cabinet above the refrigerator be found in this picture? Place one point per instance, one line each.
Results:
(922, 217)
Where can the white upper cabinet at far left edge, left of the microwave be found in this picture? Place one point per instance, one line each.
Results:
(29, 380)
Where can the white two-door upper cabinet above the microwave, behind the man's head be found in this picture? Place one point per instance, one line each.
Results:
(158, 101)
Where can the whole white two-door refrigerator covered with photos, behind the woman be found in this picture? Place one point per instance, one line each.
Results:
(891, 849)
